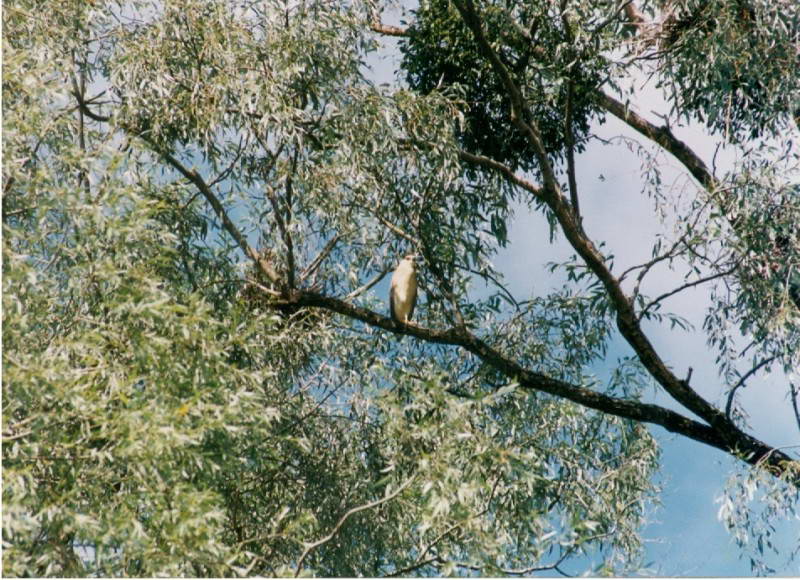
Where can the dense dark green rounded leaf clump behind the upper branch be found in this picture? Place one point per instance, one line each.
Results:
(440, 54)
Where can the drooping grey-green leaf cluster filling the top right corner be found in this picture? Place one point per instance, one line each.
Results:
(739, 87)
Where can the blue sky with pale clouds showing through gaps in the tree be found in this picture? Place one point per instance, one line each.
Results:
(685, 537)
